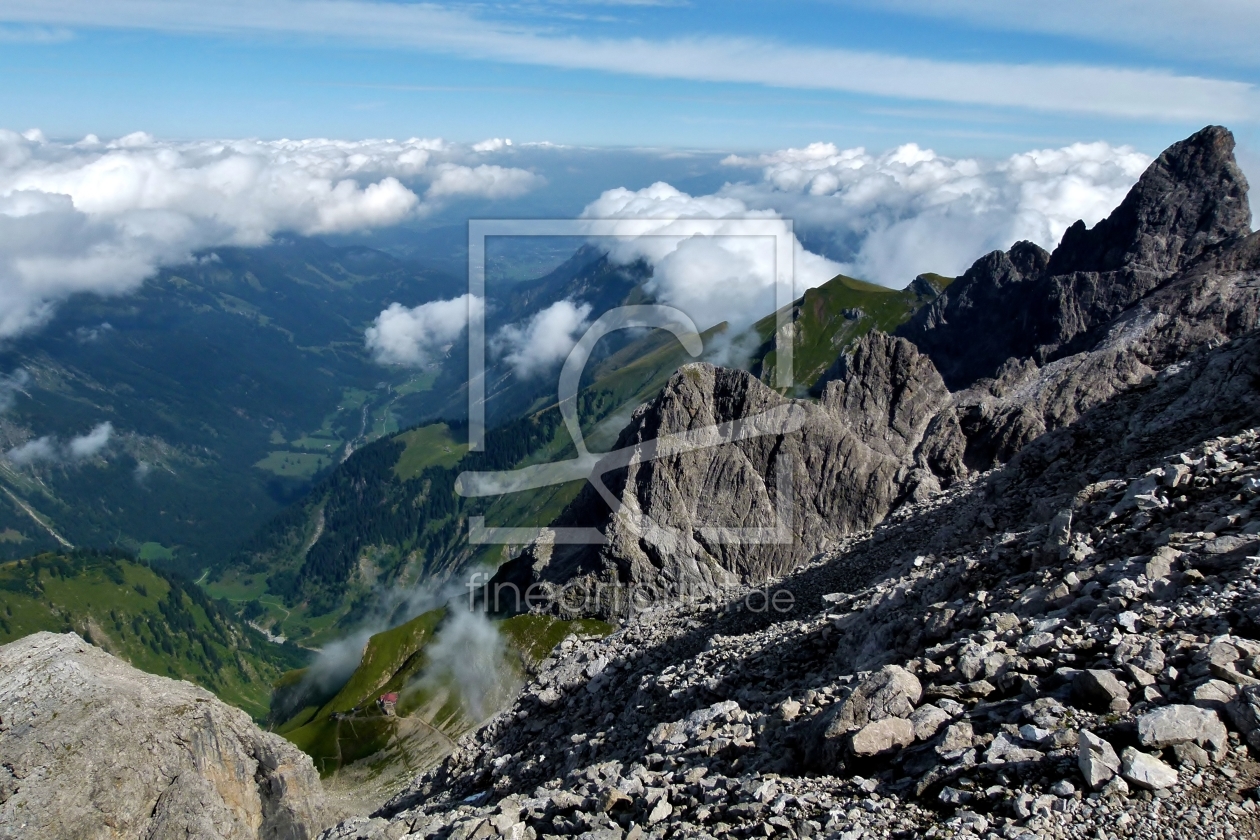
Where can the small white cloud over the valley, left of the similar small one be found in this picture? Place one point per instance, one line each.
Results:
(414, 338)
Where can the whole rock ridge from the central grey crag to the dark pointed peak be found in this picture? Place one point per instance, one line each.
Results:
(1029, 341)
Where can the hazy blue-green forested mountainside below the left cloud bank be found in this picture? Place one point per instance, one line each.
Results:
(229, 385)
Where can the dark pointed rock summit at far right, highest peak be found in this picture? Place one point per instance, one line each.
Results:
(1193, 197)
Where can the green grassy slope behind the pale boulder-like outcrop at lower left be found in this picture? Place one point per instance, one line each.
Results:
(154, 621)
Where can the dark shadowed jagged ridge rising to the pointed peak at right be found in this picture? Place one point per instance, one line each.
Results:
(1029, 304)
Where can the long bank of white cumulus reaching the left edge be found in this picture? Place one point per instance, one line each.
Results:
(100, 217)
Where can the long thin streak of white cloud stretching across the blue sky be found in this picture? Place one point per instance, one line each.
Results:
(1080, 89)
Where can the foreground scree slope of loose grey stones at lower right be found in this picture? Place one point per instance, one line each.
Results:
(1063, 645)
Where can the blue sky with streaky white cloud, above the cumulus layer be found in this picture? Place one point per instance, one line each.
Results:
(968, 77)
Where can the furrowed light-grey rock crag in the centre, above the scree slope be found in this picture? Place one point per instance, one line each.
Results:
(852, 459)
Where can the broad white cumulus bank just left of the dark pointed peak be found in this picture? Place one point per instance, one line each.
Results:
(891, 217)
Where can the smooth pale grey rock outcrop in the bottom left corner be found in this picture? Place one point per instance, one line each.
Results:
(90, 747)
